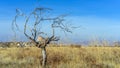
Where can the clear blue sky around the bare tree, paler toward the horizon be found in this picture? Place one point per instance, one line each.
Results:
(97, 18)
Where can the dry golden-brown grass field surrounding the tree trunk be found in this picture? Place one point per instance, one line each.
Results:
(61, 57)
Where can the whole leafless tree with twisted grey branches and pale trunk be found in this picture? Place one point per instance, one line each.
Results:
(40, 38)
